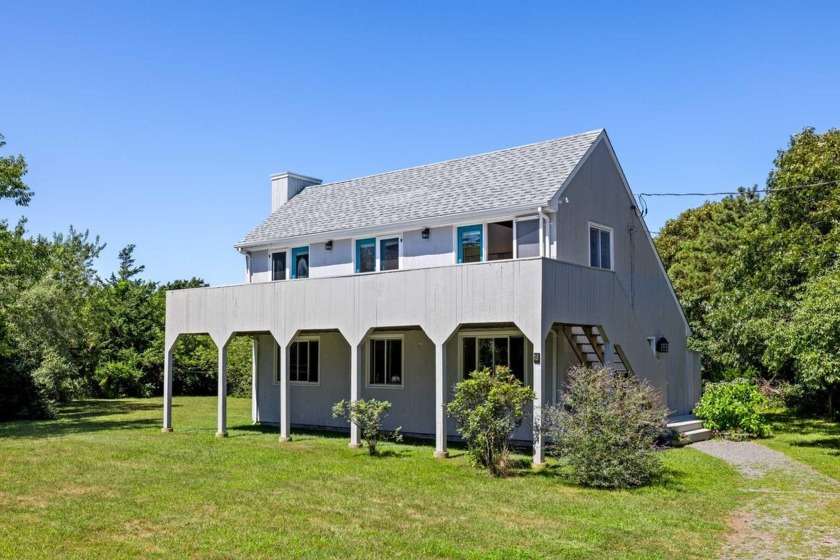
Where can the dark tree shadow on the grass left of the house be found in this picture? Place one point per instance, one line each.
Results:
(84, 416)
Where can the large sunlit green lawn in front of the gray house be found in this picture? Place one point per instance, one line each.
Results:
(102, 481)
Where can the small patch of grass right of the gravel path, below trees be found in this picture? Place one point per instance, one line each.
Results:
(814, 441)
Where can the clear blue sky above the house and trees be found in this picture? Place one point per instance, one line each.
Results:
(158, 123)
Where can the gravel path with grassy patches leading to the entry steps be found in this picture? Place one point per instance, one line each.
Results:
(789, 510)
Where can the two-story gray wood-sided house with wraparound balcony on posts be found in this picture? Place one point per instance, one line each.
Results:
(397, 285)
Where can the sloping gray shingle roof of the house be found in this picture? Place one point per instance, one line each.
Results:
(509, 178)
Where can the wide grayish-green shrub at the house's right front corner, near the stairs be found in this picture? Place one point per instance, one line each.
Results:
(605, 428)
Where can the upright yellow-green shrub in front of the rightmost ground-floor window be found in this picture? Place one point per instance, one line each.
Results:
(488, 407)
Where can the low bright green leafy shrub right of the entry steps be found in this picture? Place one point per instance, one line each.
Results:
(731, 408)
